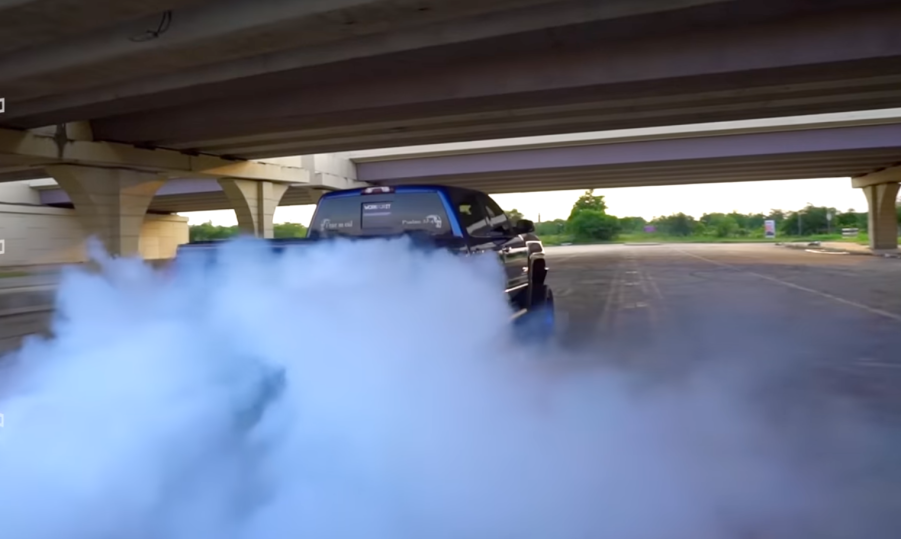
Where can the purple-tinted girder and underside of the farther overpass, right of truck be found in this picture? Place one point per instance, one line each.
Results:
(798, 153)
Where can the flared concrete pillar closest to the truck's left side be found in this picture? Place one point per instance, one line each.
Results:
(254, 203)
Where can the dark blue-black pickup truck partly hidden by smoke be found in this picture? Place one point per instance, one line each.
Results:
(463, 221)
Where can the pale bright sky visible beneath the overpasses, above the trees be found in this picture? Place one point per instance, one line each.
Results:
(647, 202)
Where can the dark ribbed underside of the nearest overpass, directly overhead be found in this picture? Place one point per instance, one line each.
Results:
(266, 78)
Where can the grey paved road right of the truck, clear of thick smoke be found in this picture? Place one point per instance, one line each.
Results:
(826, 323)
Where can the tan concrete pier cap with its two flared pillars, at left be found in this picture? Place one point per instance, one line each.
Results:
(112, 185)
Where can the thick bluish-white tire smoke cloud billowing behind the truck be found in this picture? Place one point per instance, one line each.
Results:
(371, 391)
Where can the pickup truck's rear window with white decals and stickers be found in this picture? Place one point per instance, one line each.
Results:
(382, 214)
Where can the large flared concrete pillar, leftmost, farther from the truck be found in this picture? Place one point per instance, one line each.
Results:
(110, 203)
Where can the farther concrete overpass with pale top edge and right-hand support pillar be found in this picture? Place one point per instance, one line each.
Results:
(864, 145)
